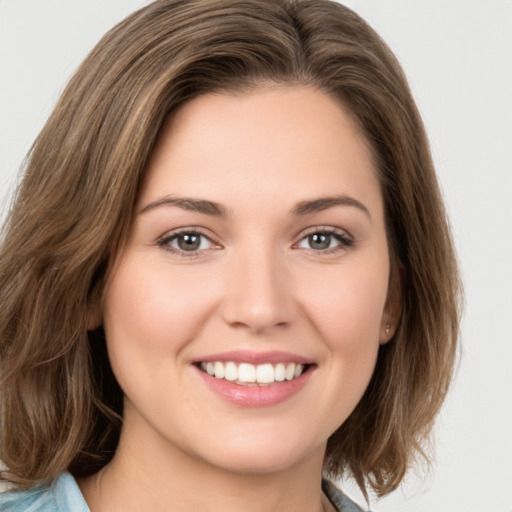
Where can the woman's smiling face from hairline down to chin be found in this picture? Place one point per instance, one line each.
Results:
(244, 315)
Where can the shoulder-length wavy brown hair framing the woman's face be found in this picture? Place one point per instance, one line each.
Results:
(61, 408)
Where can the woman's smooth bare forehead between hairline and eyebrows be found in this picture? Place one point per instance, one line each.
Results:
(260, 144)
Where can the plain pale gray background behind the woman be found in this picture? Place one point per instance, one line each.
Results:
(458, 57)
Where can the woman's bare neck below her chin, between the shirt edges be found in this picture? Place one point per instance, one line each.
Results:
(154, 476)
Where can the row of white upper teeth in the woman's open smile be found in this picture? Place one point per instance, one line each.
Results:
(246, 373)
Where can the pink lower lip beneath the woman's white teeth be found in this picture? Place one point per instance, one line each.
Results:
(253, 395)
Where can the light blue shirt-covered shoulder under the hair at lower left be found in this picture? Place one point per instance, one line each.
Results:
(62, 496)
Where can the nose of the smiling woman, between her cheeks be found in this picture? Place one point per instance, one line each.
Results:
(259, 292)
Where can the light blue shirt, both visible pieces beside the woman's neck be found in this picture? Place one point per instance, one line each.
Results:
(64, 496)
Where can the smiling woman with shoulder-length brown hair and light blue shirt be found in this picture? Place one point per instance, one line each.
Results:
(227, 270)
